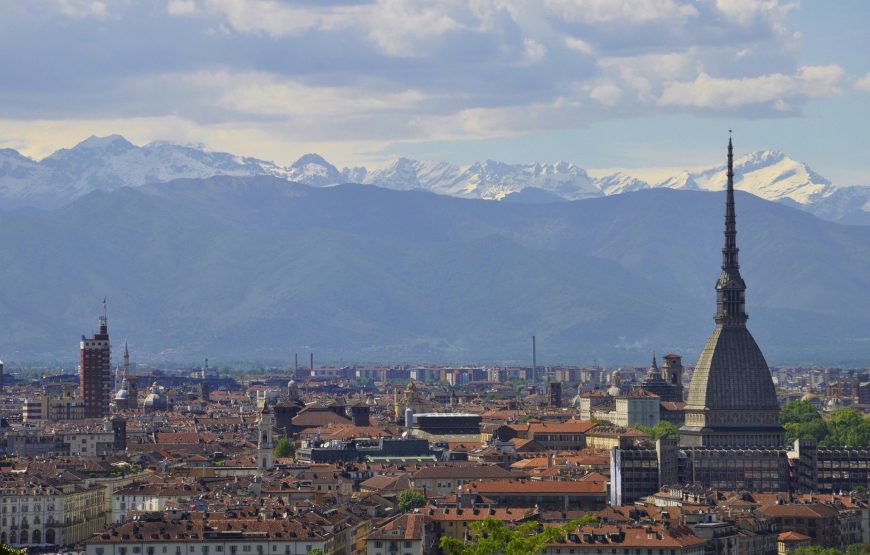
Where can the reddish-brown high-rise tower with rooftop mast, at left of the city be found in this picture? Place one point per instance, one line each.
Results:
(95, 370)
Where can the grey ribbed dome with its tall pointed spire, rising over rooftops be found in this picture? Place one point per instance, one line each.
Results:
(732, 400)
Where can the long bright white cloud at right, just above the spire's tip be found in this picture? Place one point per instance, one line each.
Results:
(776, 89)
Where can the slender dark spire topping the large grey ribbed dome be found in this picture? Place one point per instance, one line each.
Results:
(730, 288)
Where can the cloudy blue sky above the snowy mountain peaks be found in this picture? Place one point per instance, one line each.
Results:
(638, 85)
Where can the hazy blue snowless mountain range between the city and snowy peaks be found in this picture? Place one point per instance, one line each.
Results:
(256, 268)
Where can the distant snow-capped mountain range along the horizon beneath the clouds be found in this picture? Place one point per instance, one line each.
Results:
(110, 163)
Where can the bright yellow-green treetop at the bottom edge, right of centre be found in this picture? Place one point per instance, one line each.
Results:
(492, 536)
